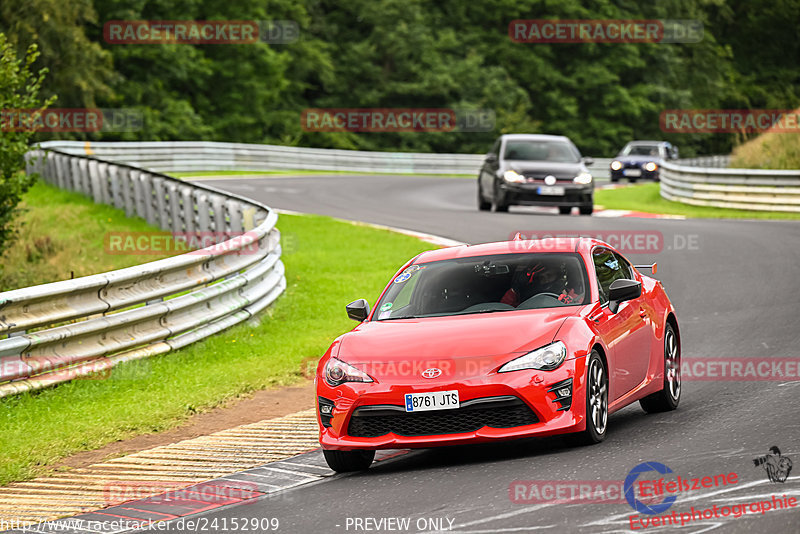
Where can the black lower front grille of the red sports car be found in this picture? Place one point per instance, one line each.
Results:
(494, 412)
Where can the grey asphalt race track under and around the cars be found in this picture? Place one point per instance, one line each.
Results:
(735, 286)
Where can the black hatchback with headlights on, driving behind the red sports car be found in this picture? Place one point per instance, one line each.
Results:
(535, 170)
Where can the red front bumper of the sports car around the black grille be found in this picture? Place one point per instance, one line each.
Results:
(508, 396)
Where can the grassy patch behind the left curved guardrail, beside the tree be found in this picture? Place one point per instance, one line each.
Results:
(62, 234)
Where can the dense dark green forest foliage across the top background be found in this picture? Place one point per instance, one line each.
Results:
(415, 53)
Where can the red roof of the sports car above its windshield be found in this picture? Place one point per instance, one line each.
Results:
(549, 245)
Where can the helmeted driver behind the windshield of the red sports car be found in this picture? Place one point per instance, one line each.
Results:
(541, 278)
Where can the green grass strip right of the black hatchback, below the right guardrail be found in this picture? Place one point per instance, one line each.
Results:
(646, 198)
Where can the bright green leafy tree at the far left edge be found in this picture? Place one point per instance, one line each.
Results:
(19, 90)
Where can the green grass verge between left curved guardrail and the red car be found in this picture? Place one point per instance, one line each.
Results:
(328, 264)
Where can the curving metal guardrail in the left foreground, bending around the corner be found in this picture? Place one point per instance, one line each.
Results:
(67, 329)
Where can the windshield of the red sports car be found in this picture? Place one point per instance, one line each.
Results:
(484, 284)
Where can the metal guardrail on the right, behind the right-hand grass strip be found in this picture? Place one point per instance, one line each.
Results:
(748, 189)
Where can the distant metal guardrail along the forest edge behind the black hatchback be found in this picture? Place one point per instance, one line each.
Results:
(180, 156)
